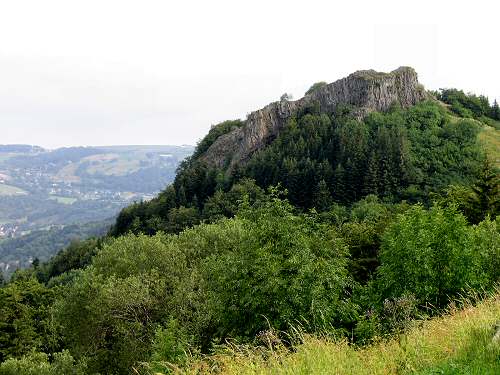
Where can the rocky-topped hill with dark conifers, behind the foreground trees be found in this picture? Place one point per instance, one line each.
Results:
(369, 133)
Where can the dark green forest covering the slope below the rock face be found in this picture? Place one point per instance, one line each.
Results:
(322, 158)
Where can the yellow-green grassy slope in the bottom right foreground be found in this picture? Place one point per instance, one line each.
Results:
(458, 343)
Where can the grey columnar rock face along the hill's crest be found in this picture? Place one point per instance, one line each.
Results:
(367, 90)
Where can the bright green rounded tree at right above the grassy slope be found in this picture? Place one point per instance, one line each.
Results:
(429, 254)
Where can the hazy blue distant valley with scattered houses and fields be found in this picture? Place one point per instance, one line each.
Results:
(43, 192)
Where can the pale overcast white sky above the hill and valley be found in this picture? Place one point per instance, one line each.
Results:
(108, 72)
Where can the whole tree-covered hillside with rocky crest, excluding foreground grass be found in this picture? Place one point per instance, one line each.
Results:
(349, 215)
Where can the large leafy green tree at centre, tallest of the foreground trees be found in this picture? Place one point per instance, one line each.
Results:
(284, 268)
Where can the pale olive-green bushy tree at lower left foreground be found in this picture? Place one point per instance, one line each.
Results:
(111, 311)
